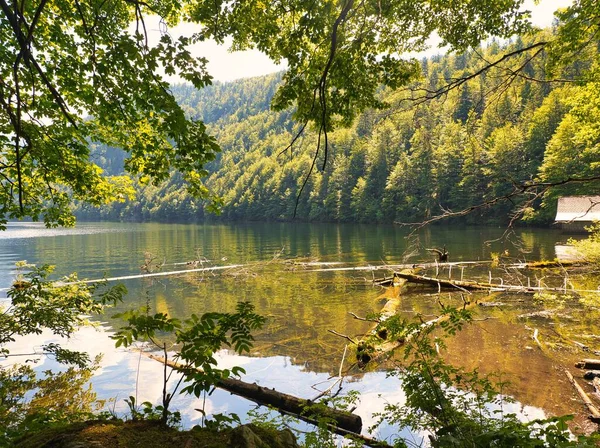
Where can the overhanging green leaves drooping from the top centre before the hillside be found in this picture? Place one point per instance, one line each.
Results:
(335, 63)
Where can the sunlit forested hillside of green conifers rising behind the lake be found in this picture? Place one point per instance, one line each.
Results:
(418, 158)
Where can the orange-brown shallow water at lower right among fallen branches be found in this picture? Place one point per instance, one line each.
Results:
(499, 342)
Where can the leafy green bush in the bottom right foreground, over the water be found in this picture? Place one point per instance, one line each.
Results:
(462, 409)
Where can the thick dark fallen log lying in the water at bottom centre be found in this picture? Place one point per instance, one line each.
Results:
(305, 410)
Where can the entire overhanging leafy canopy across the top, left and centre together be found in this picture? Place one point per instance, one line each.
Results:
(75, 72)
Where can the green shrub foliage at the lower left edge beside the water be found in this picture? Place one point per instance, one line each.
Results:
(30, 403)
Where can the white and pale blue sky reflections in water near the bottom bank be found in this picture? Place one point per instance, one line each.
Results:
(116, 378)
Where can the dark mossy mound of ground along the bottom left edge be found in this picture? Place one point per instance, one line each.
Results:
(107, 434)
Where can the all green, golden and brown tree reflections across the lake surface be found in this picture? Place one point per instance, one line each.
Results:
(301, 306)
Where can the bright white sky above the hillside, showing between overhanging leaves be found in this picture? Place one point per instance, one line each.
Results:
(227, 66)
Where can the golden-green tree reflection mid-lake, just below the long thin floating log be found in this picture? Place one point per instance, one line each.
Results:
(300, 308)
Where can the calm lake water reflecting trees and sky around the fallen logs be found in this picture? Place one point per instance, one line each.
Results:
(291, 273)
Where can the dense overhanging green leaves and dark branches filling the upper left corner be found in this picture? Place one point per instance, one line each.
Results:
(75, 73)
